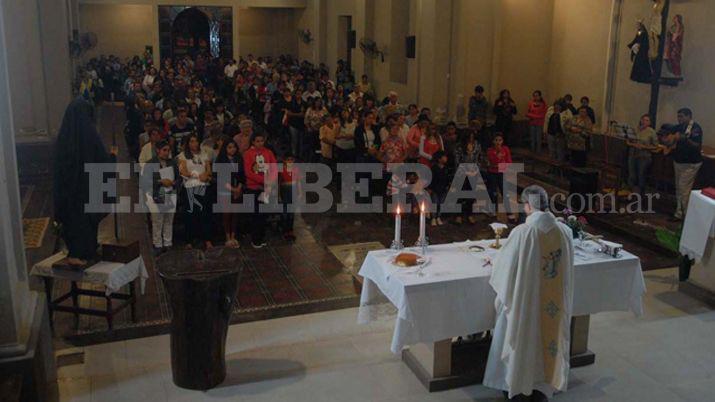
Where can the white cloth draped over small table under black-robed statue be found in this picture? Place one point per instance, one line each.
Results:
(111, 275)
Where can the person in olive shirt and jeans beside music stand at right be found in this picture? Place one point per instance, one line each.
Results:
(640, 152)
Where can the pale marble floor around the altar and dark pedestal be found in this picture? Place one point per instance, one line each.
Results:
(666, 355)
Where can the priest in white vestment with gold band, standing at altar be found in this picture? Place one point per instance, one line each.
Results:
(533, 279)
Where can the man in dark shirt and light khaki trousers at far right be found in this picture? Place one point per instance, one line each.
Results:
(687, 158)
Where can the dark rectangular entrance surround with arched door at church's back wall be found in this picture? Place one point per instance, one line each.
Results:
(195, 30)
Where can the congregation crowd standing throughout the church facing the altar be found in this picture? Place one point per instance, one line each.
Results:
(264, 115)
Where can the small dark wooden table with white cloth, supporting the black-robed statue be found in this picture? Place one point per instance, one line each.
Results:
(112, 275)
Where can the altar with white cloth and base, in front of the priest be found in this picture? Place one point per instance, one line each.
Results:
(450, 297)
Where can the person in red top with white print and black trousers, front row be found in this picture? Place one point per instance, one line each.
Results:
(259, 163)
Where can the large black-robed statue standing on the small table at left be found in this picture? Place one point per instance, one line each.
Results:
(77, 143)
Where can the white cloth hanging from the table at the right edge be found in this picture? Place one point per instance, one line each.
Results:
(699, 225)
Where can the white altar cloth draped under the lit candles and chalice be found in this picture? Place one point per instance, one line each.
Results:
(454, 297)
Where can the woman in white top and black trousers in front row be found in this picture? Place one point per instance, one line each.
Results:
(195, 169)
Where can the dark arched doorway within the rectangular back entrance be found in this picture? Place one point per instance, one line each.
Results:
(191, 33)
